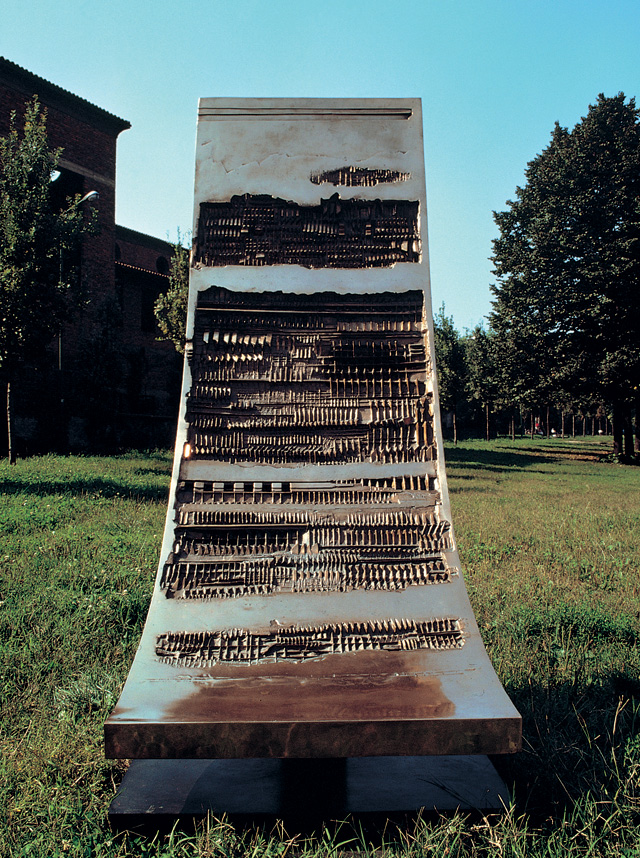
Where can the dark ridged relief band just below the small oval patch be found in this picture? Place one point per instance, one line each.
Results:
(264, 230)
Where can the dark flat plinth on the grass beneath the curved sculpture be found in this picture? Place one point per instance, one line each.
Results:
(326, 788)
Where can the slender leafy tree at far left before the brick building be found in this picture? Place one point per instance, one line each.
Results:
(34, 238)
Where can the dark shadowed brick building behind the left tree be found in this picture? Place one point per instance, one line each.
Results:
(109, 382)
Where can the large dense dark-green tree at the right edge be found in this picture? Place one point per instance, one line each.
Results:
(567, 298)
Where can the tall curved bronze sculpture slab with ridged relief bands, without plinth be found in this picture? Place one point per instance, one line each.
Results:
(309, 600)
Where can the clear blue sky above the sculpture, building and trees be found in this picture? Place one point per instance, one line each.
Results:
(493, 75)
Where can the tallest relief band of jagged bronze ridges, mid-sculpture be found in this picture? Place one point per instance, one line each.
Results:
(316, 379)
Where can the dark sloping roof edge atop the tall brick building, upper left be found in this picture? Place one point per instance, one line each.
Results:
(52, 95)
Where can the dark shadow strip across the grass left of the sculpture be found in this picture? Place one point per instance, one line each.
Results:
(89, 486)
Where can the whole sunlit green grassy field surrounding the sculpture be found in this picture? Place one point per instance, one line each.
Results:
(550, 542)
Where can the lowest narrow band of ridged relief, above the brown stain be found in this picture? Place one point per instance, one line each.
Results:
(299, 643)
